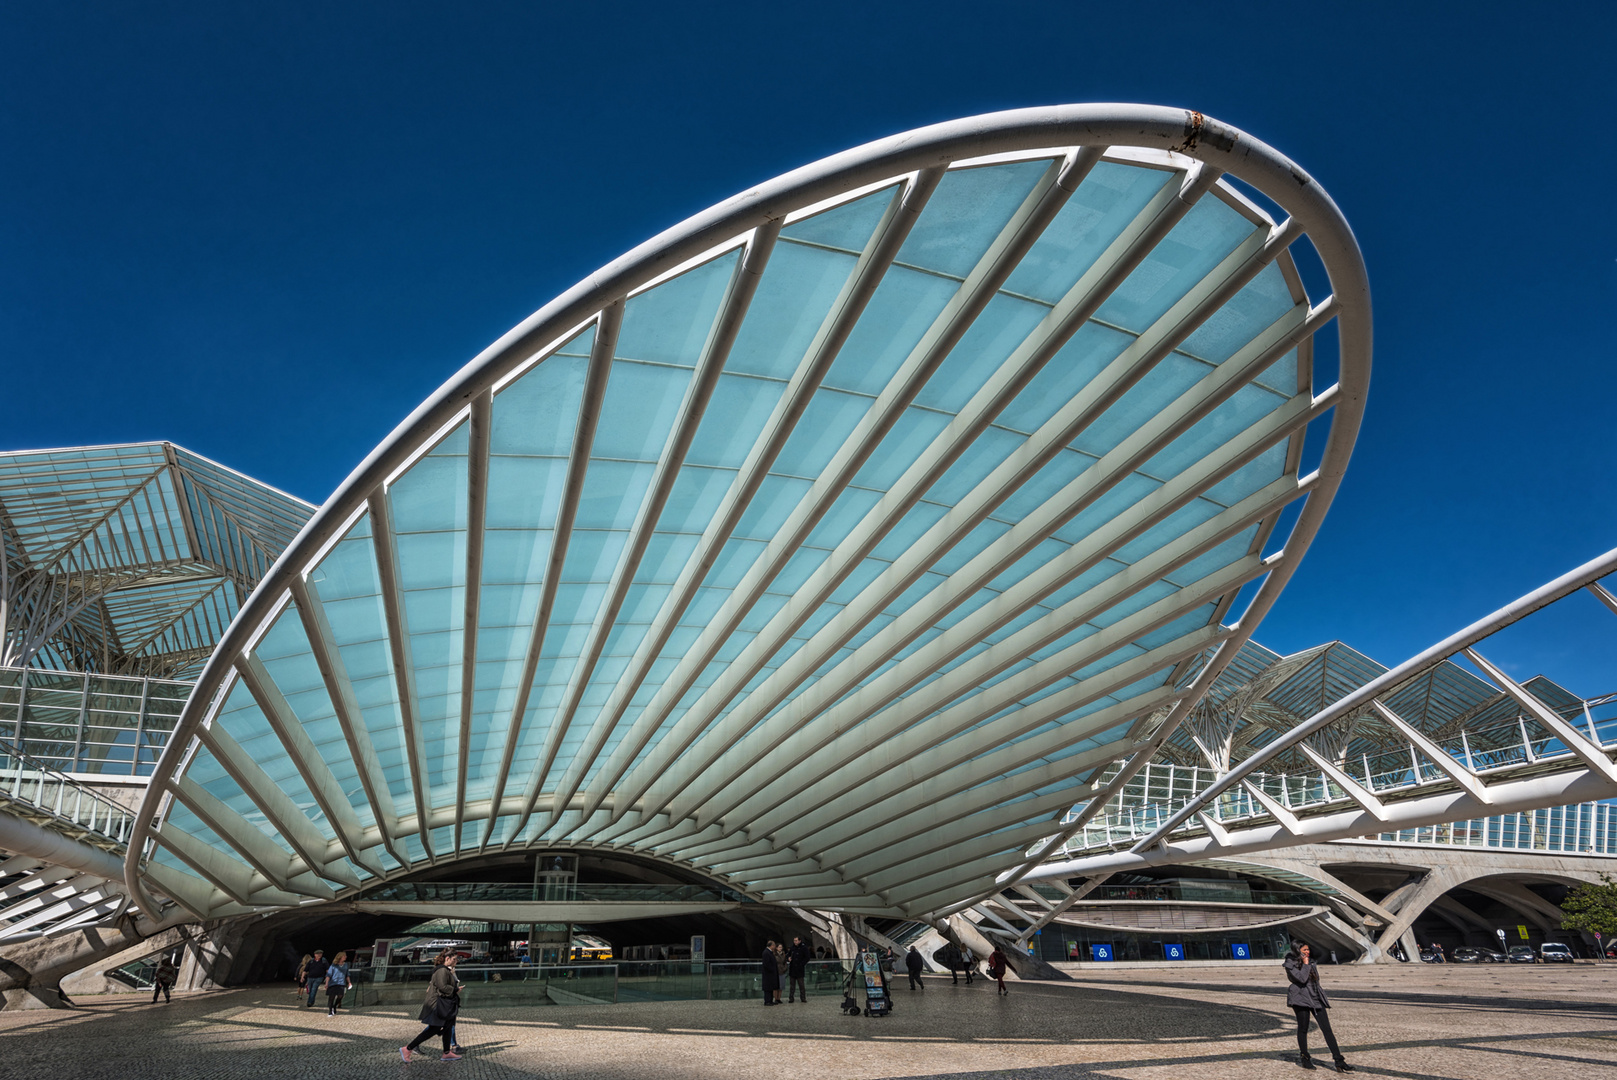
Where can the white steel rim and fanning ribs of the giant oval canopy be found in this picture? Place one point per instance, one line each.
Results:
(649, 801)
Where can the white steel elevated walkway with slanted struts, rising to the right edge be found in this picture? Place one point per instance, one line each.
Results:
(1505, 748)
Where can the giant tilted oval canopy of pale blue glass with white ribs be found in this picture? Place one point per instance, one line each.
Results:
(829, 544)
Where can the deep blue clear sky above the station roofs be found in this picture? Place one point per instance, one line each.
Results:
(268, 232)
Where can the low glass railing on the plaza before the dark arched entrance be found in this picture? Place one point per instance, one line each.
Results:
(492, 985)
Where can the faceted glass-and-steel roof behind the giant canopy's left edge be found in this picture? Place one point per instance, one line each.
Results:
(130, 560)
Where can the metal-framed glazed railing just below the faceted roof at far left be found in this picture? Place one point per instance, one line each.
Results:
(90, 724)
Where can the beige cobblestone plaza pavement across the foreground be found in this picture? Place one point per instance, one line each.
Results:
(1427, 1023)
